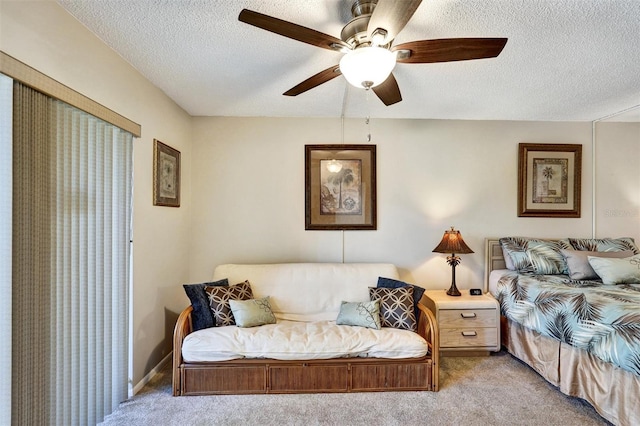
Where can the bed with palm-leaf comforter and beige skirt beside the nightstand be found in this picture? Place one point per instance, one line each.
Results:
(581, 335)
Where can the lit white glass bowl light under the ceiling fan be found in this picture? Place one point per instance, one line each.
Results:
(368, 66)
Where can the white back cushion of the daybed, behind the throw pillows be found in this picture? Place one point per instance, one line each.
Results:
(308, 291)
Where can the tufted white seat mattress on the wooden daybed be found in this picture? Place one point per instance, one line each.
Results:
(295, 340)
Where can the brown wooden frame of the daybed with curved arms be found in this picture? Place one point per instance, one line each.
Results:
(257, 376)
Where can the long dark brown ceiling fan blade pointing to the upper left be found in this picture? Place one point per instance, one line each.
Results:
(291, 30)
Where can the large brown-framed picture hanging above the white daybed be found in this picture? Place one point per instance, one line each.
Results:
(340, 187)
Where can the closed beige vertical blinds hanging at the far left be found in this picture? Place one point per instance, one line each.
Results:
(72, 178)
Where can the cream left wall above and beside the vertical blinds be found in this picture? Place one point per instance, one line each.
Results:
(46, 37)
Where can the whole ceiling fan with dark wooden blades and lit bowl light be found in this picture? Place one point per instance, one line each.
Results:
(367, 44)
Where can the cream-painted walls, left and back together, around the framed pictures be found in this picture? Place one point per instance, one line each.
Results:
(243, 181)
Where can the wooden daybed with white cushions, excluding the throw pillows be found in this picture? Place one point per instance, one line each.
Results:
(306, 299)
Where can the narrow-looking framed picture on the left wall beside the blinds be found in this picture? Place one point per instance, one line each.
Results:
(166, 175)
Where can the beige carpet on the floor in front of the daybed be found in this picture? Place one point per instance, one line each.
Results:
(495, 390)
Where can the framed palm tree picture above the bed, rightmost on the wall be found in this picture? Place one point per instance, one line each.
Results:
(549, 180)
